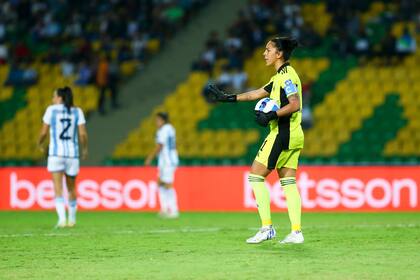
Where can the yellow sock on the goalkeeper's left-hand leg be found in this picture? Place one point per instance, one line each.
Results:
(262, 197)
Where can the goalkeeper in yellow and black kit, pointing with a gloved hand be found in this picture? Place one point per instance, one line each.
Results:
(281, 148)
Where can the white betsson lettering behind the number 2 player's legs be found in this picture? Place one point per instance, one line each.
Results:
(110, 194)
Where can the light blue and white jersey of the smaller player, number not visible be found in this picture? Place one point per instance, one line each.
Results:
(168, 155)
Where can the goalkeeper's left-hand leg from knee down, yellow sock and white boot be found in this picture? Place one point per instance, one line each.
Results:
(262, 196)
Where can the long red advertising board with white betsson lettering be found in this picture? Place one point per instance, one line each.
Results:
(326, 188)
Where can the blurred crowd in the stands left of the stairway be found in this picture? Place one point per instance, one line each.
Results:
(86, 37)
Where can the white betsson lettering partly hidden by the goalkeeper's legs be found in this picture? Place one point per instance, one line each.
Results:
(350, 193)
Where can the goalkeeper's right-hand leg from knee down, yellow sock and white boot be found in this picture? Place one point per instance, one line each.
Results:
(288, 182)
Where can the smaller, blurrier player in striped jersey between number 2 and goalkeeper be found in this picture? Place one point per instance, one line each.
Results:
(167, 162)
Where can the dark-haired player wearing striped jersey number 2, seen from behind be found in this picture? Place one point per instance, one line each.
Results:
(66, 126)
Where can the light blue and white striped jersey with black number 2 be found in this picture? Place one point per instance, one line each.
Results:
(64, 136)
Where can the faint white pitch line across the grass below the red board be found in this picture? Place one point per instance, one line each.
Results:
(195, 230)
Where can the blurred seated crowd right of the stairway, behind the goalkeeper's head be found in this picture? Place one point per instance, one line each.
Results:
(348, 34)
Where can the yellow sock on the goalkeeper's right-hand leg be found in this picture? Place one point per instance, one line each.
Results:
(293, 201)
